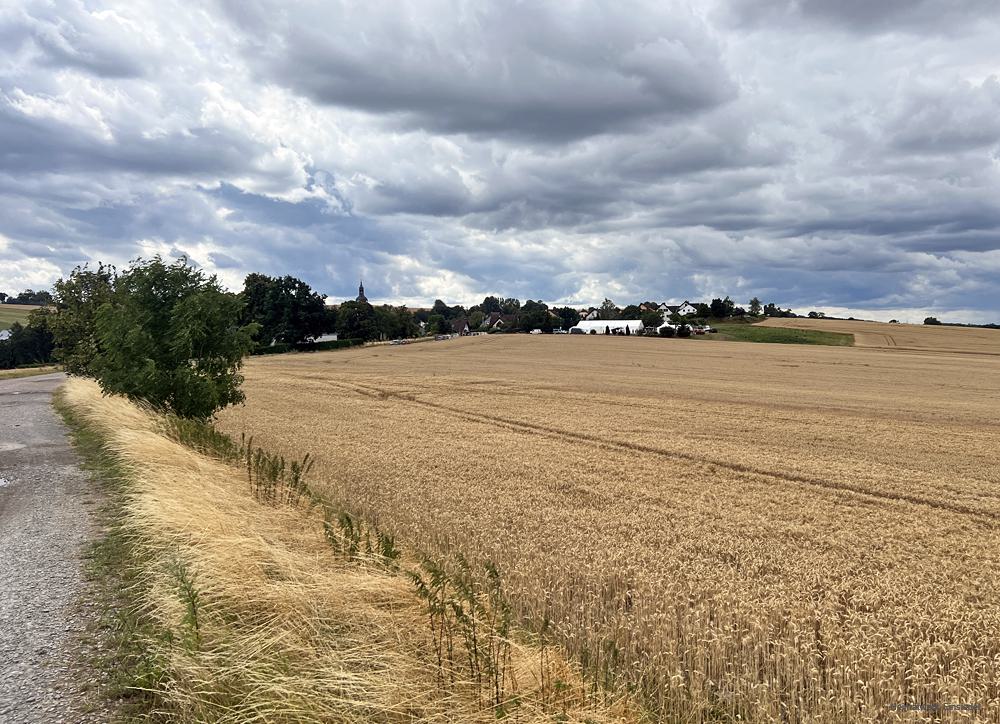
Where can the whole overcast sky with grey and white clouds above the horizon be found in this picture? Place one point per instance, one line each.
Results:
(841, 155)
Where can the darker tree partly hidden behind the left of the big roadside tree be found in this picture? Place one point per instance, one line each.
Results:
(74, 322)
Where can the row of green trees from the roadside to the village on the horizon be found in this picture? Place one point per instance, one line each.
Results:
(171, 336)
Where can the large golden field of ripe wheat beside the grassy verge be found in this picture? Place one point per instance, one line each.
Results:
(732, 531)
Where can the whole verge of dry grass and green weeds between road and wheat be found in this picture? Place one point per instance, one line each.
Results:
(237, 599)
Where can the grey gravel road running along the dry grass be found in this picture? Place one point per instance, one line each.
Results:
(46, 517)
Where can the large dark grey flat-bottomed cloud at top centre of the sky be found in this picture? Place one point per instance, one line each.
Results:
(552, 71)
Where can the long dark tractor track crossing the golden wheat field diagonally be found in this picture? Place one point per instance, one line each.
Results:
(986, 517)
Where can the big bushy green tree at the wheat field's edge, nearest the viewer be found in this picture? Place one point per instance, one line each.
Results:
(170, 336)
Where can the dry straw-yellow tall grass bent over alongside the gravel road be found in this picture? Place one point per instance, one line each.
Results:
(255, 617)
